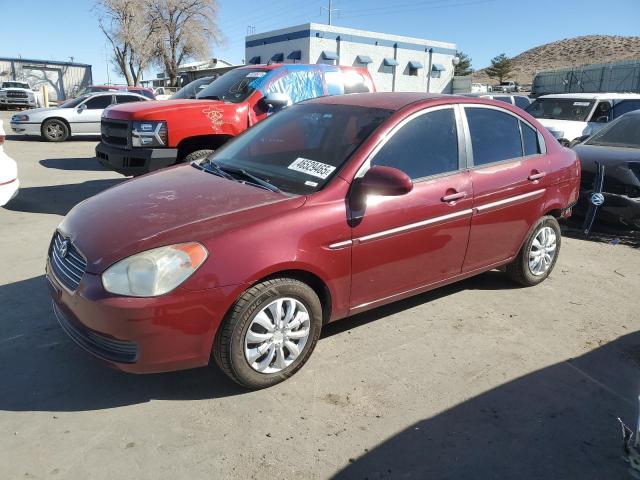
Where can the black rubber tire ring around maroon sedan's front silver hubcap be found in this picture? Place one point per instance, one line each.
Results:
(241, 368)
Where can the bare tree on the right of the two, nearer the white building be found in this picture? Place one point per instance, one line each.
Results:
(185, 30)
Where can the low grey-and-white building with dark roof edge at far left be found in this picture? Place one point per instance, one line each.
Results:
(63, 79)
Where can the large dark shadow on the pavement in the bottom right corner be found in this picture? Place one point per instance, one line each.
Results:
(555, 423)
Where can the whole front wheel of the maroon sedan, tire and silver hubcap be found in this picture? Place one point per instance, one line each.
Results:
(231, 350)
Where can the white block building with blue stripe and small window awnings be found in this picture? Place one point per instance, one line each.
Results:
(396, 63)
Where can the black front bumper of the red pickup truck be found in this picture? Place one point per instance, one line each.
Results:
(136, 161)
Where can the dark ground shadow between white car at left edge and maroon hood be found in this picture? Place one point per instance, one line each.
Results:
(57, 199)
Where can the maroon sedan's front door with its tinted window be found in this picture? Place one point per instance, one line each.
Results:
(403, 243)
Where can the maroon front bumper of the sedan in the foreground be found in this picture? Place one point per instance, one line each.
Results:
(141, 335)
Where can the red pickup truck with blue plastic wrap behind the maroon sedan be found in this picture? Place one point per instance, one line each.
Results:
(141, 137)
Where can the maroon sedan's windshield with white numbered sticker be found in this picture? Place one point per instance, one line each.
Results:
(299, 149)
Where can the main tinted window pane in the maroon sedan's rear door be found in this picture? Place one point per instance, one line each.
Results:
(495, 135)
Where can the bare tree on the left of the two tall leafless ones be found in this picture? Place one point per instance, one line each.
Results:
(130, 34)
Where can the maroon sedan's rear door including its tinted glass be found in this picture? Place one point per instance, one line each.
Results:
(509, 175)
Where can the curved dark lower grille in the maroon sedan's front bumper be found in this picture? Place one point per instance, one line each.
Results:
(107, 348)
